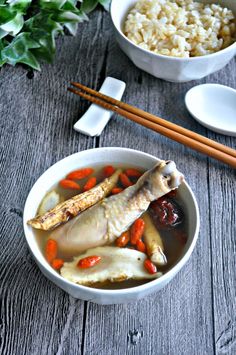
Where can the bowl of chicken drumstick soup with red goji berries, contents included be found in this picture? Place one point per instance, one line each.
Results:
(93, 220)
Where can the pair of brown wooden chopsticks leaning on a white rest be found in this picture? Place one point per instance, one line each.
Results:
(177, 133)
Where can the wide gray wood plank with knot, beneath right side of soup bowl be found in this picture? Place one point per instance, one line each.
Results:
(178, 319)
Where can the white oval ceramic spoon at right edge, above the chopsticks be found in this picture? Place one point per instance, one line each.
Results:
(214, 106)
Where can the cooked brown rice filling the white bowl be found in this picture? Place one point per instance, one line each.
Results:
(180, 28)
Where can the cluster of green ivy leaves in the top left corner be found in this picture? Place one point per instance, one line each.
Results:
(34, 39)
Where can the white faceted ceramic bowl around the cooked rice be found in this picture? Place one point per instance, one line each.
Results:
(165, 67)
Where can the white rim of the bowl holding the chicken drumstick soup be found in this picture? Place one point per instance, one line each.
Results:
(43, 264)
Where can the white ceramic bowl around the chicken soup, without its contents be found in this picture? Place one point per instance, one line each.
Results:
(90, 158)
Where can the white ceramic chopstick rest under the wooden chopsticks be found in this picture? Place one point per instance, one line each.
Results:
(93, 122)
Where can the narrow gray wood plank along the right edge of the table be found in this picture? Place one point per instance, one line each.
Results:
(222, 216)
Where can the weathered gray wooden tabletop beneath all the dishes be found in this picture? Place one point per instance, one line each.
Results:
(195, 313)
